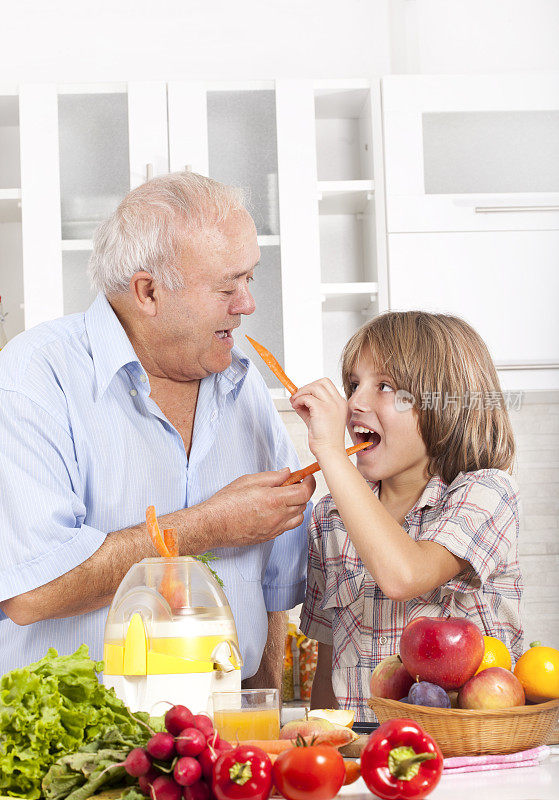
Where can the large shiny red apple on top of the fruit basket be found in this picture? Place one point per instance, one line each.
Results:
(442, 650)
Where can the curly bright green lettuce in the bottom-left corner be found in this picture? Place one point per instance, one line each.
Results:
(51, 708)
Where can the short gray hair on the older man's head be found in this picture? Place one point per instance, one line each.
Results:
(148, 229)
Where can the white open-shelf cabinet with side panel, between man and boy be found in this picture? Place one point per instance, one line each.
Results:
(332, 218)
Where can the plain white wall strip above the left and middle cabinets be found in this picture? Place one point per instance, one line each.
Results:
(117, 40)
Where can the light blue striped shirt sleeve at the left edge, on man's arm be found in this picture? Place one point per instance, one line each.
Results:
(41, 503)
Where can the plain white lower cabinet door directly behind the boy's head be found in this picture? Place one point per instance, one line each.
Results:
(505, 284)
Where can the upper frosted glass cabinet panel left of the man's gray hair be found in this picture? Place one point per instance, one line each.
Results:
(94, 159)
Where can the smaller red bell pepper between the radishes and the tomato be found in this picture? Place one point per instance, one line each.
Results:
(243, 773)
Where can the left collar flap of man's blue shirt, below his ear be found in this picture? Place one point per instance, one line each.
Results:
(111, 348)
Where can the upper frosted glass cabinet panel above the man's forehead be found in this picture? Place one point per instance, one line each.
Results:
(242, 147)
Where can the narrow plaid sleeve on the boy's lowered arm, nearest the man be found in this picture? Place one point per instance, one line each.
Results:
(316, 622)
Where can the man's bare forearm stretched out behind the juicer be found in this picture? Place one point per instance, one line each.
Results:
(92, 584)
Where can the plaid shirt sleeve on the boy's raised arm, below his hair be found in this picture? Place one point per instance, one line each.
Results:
(479, 523)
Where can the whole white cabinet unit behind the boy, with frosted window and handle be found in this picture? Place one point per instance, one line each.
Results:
(472, 205)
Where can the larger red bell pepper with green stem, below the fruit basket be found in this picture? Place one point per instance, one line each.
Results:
(401, 761)
